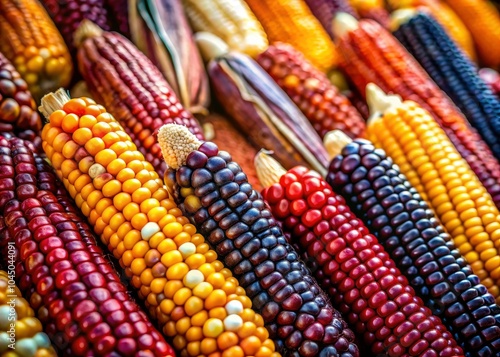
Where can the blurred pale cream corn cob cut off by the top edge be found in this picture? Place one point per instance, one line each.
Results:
(231, 20)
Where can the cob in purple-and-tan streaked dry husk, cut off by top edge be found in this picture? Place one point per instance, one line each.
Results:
(160, 30)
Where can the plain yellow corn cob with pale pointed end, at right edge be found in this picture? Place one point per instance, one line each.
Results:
(431, 163)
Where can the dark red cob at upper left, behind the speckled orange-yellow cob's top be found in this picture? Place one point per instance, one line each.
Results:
(132, 89)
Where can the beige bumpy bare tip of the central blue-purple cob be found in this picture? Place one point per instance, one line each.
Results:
(176, 142)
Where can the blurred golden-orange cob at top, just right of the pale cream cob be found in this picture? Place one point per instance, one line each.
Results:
(292, 22)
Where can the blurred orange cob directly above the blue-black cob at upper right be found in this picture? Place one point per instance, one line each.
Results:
(446, 17)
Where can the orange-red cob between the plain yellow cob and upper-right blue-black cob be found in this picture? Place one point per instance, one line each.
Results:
(370, 54)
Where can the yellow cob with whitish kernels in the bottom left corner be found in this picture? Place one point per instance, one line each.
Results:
(19, 327)
